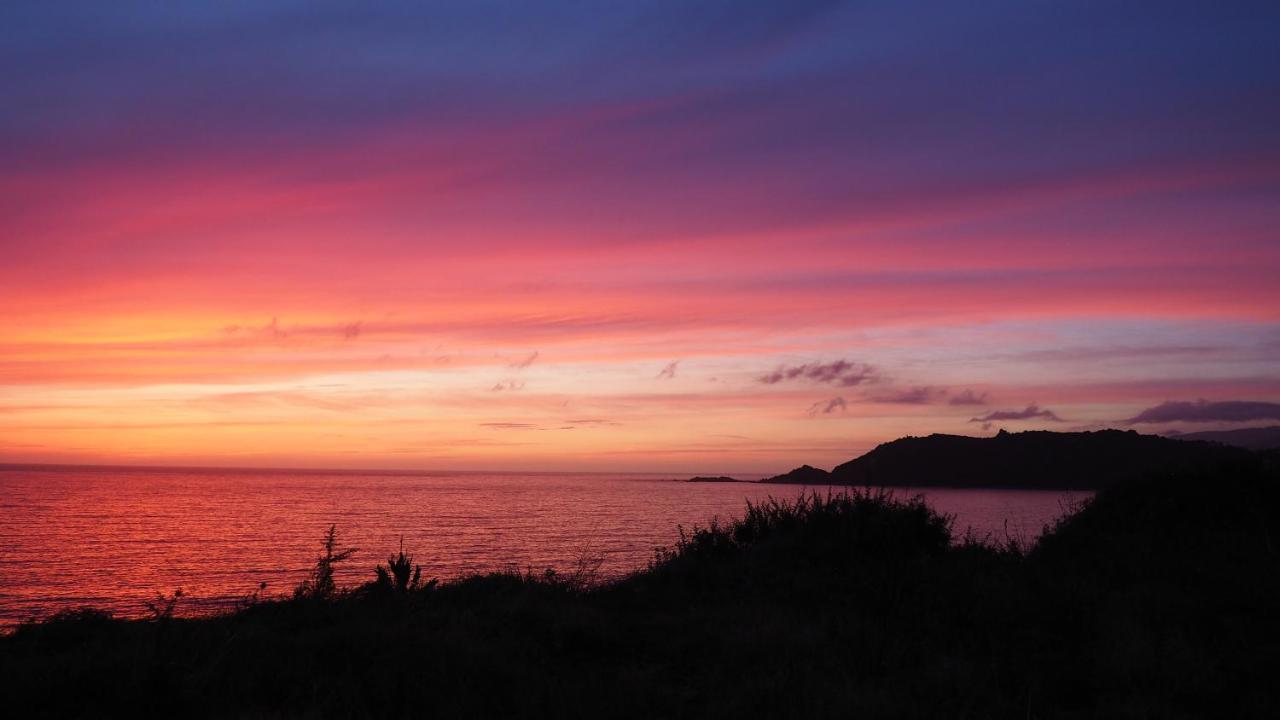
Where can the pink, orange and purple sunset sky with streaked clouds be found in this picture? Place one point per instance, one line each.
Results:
(714, 236)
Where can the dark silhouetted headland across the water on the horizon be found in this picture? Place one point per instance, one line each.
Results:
(1037, 459)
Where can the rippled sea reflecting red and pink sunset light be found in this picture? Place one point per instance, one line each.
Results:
(115, 539)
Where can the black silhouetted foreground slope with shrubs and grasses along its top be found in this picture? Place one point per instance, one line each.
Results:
(1156, 600)
